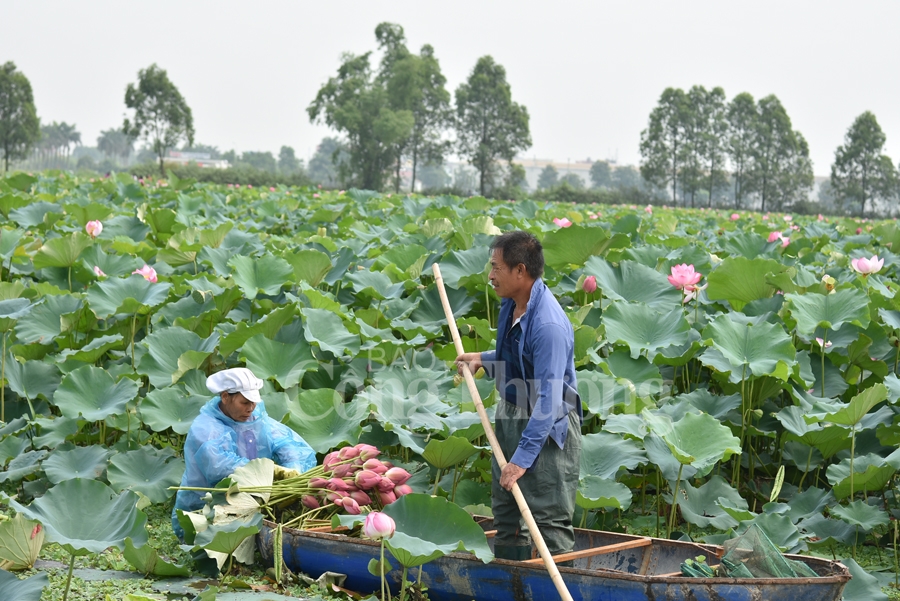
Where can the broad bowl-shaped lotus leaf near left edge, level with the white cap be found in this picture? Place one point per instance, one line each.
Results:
(92, 393)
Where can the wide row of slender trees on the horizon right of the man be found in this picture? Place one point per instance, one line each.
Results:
(693, 137)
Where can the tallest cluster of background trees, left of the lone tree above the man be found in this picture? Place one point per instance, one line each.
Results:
(399, 113)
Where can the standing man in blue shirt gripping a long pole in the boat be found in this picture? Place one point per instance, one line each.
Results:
(538, 420)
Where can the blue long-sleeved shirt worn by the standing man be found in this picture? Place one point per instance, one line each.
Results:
(546, 362)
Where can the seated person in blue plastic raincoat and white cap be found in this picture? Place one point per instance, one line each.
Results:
(233, 428)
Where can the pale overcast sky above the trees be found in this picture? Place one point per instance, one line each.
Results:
(588, 72)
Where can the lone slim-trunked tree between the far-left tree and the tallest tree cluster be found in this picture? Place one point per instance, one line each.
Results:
(161, 115)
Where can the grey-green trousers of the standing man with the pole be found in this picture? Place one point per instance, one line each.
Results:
(548, 487)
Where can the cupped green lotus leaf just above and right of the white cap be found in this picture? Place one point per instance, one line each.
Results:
(284, 362)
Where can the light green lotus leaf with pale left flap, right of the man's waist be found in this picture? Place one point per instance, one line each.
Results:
(697, 440)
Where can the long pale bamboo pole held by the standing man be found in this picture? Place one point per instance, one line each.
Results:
(495, 446)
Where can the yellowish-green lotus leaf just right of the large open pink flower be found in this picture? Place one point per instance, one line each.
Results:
(740, 280)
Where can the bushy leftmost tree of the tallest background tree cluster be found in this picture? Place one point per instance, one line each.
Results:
(358, 106)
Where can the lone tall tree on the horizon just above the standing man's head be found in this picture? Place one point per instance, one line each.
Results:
(489, 125)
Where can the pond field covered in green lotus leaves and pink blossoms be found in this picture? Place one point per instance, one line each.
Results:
(783, 353)
